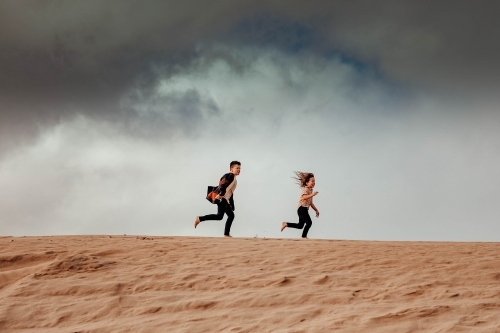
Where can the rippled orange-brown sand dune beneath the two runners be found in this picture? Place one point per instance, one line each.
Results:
(186, 284)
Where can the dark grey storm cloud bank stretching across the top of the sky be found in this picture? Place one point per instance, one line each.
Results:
(58, 58)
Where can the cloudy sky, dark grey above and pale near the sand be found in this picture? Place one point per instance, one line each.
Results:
(115, 116)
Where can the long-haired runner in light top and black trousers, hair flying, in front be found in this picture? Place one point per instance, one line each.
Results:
(306, 181)
